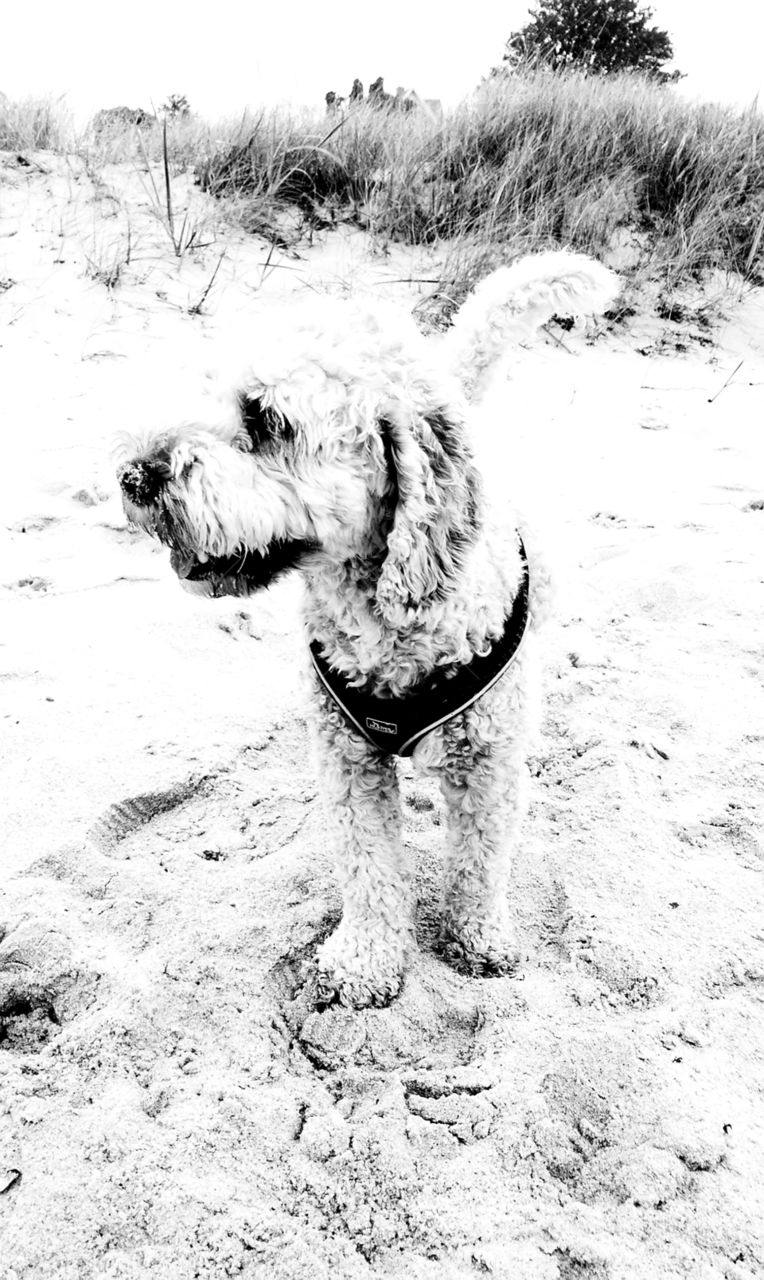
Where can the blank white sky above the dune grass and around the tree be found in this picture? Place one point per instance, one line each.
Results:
(226, 56)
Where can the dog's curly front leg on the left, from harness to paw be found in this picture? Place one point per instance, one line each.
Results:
(363, 962)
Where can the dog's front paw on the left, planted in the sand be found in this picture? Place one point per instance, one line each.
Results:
(360, 968)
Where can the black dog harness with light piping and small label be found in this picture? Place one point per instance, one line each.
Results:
(397, 725)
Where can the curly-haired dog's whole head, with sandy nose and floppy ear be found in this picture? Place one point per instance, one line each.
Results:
(331, 461)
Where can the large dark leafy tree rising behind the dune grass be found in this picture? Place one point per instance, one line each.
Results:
(597, 36)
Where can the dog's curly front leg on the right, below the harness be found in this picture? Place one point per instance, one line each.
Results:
(484, 785)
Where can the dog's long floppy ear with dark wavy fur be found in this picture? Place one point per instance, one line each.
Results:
(437, 516)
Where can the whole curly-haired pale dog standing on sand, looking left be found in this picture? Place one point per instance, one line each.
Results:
(349, 458)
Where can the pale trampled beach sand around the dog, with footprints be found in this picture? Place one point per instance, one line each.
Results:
(171, 1104)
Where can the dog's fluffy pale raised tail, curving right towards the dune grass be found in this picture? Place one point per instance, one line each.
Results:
(514, 301)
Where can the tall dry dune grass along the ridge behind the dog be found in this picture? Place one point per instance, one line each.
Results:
(532, 162)
